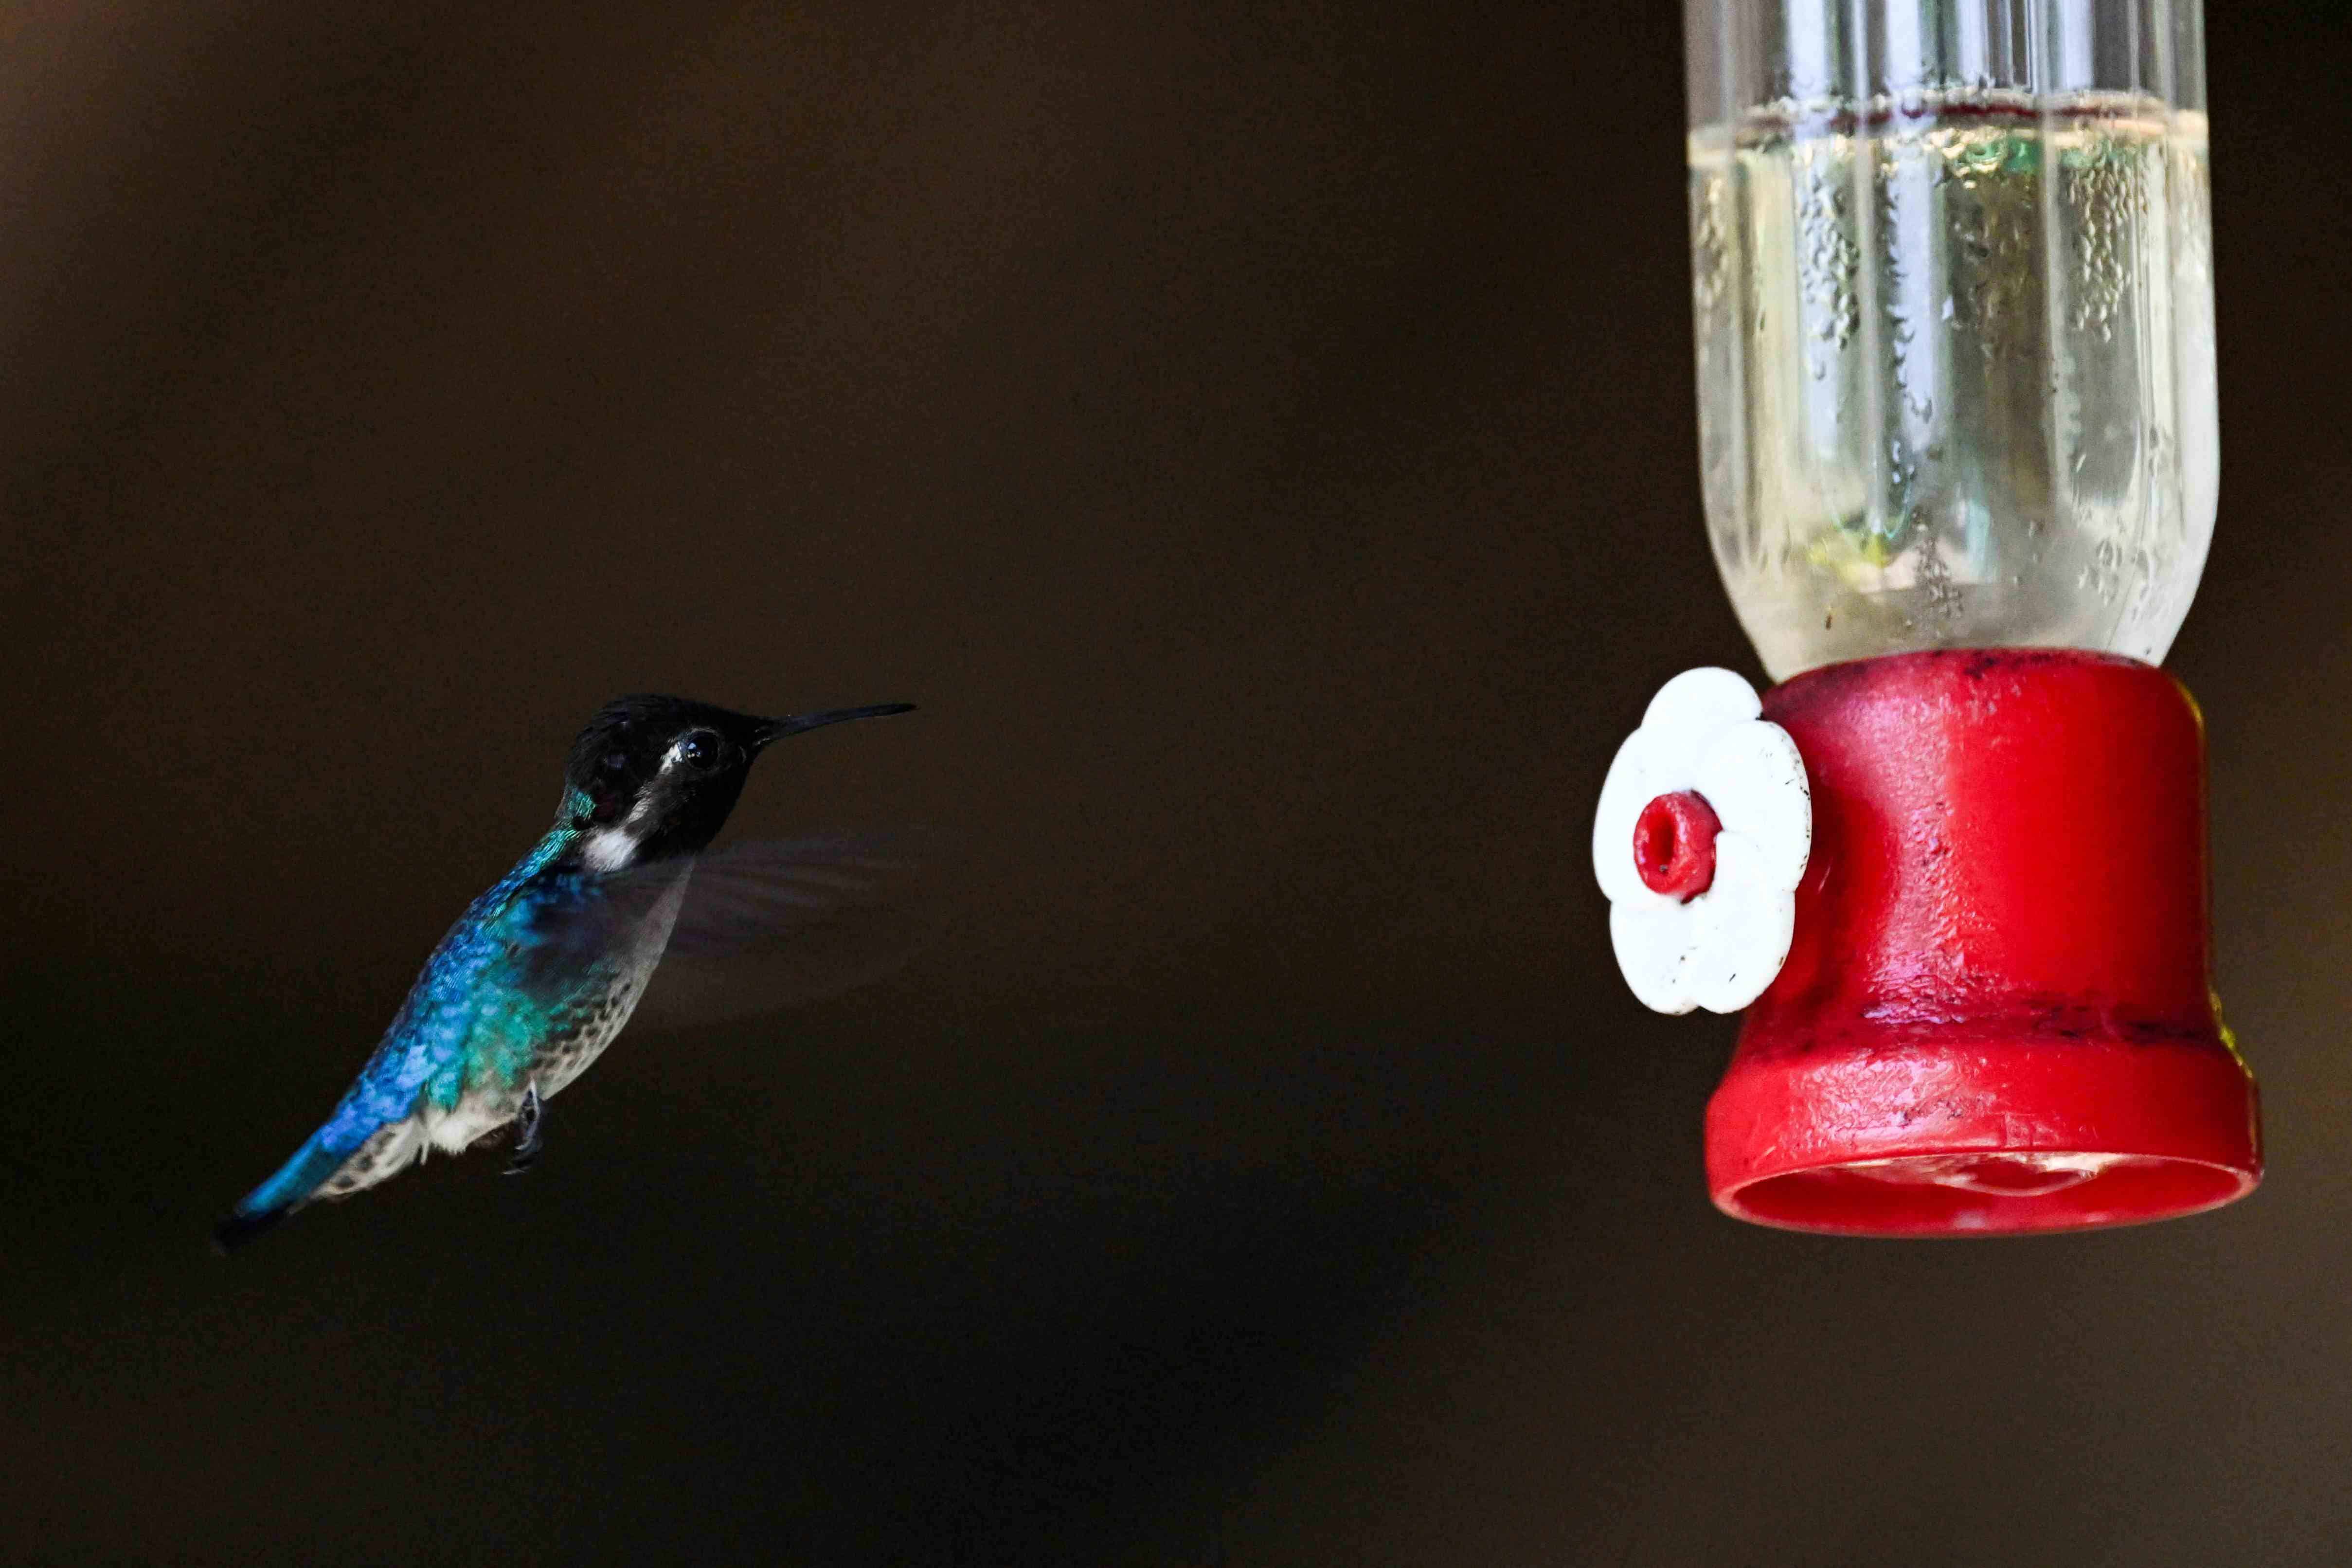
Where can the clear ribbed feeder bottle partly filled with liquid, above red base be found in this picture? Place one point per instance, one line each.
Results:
(1956, 321)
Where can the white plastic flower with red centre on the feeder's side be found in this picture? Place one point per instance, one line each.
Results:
(1702, 838)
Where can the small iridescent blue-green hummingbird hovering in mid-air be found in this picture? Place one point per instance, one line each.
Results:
(544, 970)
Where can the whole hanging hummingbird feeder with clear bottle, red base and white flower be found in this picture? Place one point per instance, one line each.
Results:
(1958, 445)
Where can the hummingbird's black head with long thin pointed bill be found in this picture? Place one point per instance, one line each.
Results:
(655, 777)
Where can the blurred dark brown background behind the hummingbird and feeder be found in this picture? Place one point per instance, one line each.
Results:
(1259, 436)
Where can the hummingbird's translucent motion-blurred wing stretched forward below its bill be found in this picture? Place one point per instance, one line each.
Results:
(777, 923)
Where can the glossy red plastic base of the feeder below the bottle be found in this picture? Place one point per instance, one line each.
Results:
(1998, 1012)
